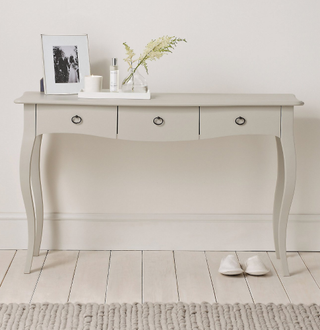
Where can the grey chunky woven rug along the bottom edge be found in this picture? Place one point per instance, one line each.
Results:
(148, 316)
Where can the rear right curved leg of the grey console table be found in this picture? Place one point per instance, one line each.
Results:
(278, 196)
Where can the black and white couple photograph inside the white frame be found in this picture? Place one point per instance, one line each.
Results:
(66, 64)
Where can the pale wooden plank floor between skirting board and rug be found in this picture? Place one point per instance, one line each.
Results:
(154, 276)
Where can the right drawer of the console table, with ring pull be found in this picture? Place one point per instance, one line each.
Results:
(225, 121)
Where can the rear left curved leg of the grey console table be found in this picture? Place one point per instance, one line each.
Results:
(37, 193)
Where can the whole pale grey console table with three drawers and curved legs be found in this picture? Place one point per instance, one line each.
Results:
(165, 117)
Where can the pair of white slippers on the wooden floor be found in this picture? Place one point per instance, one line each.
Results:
(253, 266)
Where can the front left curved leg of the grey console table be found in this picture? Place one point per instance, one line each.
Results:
(25, 176)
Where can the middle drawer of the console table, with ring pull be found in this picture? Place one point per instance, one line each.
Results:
(158, 123)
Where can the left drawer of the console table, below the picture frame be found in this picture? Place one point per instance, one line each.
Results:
(91, 120)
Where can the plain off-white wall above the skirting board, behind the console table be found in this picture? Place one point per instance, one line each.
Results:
(234, 46)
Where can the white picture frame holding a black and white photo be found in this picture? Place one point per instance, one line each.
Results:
(65, 63)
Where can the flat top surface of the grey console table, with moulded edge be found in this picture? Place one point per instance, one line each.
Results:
(168, 99)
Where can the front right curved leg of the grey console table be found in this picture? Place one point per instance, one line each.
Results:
(289, 180)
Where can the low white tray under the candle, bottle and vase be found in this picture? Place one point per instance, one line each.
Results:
(106, 94)
